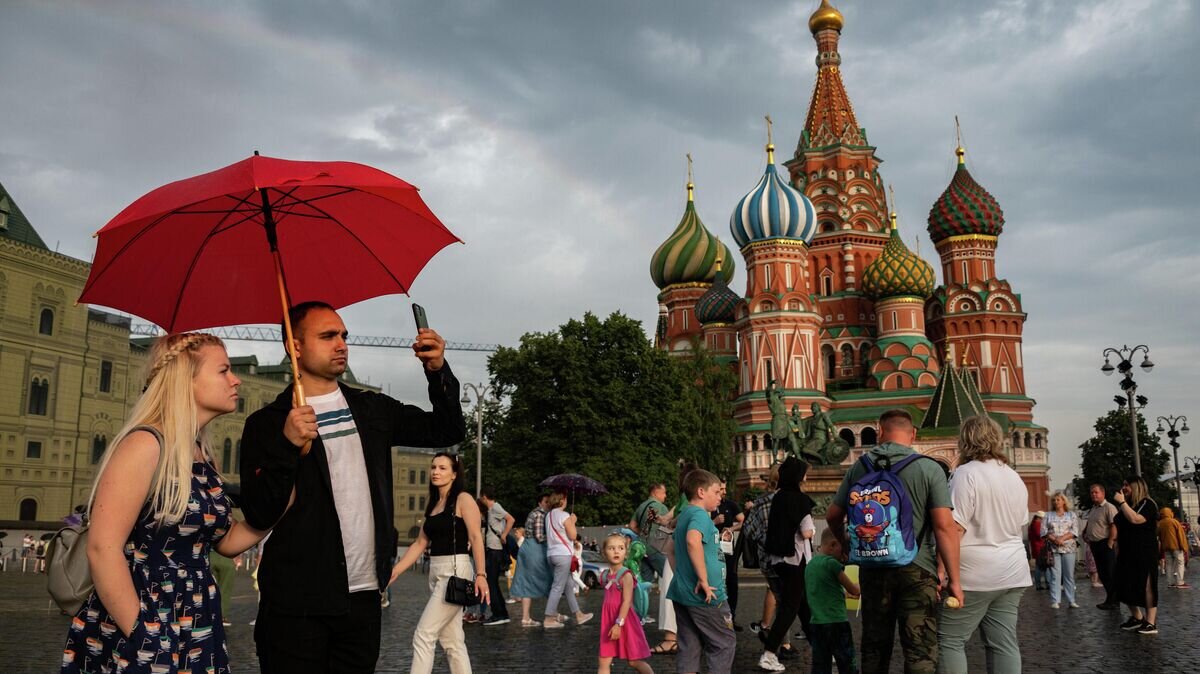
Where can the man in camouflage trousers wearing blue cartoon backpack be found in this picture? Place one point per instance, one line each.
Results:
(887, 514)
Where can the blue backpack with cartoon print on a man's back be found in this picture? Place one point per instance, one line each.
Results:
(880, 516)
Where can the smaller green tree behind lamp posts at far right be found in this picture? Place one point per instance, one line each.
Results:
(1107, 459)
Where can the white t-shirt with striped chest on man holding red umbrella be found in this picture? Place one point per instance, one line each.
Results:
(352, 492)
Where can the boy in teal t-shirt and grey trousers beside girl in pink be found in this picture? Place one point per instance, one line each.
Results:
(704, 622)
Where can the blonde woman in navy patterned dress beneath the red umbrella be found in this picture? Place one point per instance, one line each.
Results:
(157, 509)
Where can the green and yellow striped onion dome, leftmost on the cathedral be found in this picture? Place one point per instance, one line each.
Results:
(691, 254)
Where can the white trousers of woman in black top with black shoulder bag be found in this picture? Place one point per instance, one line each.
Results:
(441, 622)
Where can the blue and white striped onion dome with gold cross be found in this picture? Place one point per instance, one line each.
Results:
(773, 210)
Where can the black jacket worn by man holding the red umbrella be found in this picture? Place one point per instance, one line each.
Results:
(304, 563)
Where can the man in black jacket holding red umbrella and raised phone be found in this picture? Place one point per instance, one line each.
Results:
(332, 509)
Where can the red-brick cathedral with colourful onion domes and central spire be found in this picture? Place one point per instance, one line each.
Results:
(838, 311)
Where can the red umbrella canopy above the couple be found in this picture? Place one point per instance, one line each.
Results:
(205, 251)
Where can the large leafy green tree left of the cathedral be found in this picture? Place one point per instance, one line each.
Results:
(597, 399)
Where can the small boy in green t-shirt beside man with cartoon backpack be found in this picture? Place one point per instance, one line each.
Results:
(827, 586)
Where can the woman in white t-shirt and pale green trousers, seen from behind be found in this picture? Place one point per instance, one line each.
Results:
(991, 509)
